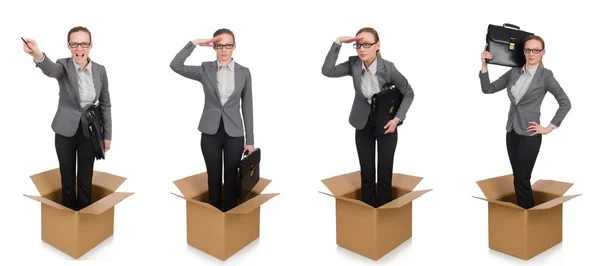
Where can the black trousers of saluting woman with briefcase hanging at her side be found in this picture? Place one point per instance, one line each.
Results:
(222, 153)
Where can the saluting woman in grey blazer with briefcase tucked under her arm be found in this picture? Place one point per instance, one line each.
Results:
(370, 72)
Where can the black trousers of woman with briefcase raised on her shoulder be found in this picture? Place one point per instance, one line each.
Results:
(522, 152)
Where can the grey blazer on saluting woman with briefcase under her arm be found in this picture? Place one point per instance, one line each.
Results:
(386, 72)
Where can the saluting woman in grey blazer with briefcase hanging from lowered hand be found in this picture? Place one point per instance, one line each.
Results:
(227, 85)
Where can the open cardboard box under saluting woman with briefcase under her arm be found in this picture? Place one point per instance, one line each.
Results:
(372, 232)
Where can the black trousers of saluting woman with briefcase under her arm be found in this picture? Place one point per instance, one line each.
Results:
(386, 148)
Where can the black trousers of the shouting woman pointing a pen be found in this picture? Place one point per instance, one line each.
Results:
(76, 161)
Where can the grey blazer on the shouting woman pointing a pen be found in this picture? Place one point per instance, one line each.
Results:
(69, 113)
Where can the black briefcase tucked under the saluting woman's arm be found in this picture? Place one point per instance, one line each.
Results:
(384, 106)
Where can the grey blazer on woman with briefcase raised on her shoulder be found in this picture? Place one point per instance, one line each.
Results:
(528, 108)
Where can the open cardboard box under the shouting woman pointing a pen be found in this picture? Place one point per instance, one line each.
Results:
(77, 232)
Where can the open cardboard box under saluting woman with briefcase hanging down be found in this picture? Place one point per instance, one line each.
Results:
(220, 234)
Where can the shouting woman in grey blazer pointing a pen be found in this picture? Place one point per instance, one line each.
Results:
(82, 83)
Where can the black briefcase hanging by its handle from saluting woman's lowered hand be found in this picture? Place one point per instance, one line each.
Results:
(248, 173)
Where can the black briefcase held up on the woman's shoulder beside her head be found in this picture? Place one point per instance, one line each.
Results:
(506, 44)
